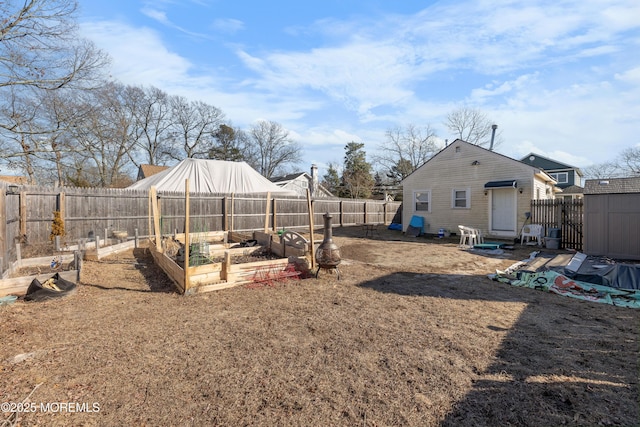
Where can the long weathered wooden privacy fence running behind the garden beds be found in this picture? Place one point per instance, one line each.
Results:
(26, 214)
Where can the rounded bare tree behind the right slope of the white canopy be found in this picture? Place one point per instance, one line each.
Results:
(275, 149)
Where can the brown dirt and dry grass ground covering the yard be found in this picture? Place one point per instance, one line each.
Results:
(413, 334)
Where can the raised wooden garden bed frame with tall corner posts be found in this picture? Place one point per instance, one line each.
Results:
(214, 276)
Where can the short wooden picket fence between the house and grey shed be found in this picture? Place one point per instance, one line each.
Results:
(566, 215)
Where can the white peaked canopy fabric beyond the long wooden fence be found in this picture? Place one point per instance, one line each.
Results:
(211, 176)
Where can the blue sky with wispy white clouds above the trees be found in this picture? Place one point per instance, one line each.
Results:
(561, 78)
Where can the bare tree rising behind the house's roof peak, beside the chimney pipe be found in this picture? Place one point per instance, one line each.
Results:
(471, 125)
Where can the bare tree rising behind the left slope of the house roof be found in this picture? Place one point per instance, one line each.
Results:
(406, 149)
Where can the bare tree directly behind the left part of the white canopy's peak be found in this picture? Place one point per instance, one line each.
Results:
(193, 126)
